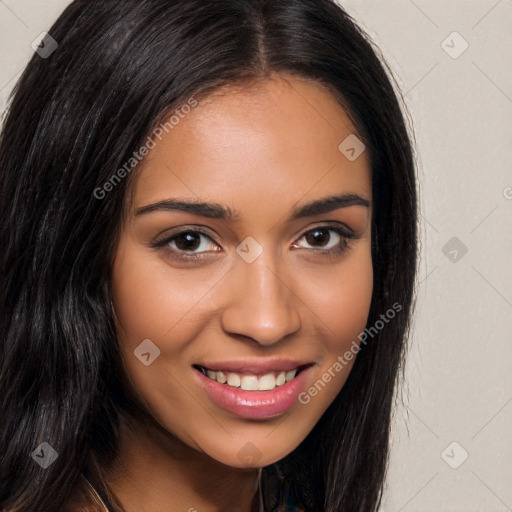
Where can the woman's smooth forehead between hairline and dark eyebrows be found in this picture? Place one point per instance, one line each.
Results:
(250, 146)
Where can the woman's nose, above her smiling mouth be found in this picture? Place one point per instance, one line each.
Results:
(262, 304)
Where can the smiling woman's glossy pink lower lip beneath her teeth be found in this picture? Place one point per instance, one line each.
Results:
(254, 404)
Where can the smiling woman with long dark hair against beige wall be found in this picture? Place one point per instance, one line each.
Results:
(209, 255)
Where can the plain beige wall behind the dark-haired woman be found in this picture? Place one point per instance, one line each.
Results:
(459, 379)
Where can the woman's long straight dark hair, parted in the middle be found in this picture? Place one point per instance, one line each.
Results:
(75, 117)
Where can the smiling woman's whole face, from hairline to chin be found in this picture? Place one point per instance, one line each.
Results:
(233, 318)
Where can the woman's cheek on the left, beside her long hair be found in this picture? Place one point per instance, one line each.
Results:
(148, 307)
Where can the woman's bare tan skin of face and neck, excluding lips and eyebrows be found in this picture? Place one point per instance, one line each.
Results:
(262, 150)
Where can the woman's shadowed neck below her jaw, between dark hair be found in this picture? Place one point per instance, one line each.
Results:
(157, 471)
